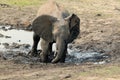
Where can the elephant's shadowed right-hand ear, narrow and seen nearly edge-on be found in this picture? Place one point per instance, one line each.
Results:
(74, 26)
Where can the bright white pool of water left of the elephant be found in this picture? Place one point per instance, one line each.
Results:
(16, 36)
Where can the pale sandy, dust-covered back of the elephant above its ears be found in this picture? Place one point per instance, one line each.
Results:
(53, 9)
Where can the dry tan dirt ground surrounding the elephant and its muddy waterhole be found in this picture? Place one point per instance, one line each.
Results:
(100, 32)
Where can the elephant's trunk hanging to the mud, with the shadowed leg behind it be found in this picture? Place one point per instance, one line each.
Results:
(61, 46)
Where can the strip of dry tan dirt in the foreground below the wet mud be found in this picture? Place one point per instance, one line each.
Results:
(12, 71)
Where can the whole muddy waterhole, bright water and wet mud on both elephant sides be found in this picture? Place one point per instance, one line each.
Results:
(15, 45)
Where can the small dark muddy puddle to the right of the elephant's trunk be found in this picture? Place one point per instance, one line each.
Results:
(75, 56)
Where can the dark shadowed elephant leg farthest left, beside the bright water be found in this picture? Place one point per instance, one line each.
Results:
(36, 39)
